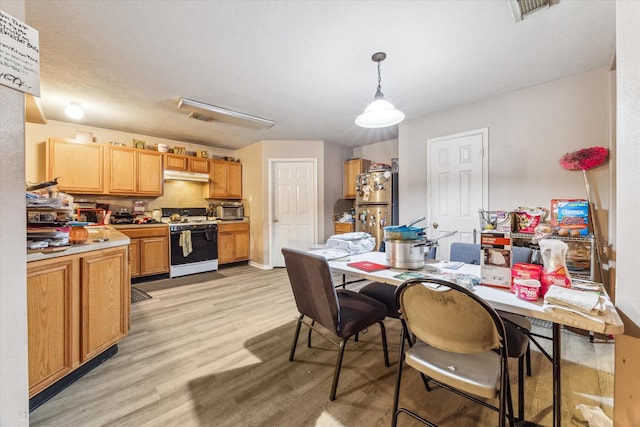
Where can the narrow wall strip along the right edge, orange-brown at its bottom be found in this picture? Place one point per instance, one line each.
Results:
(627, 387)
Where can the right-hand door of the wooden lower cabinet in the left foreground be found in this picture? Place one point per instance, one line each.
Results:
(105, 291)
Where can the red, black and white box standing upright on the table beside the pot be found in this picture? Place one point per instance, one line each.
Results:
(495, 259)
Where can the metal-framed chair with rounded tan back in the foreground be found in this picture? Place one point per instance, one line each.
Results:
(460, 345)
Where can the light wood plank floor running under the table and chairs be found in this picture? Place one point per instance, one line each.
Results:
(216, 354)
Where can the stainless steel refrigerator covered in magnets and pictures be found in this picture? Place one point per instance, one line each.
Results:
(376, 202)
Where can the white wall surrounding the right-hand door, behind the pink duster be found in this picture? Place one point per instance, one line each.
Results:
(529, 131)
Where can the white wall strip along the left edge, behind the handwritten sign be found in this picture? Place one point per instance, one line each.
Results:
(14, 380)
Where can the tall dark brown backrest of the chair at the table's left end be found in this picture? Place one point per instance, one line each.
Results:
(312, 285)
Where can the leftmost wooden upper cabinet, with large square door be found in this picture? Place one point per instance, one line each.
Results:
(79, 167)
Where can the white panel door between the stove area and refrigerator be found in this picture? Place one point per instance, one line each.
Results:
(294, 210)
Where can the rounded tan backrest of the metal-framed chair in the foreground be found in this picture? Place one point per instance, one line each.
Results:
(449, 317)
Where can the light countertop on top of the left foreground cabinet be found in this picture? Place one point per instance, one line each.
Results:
(95, 232)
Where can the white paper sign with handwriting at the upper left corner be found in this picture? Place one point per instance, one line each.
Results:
(19, 55)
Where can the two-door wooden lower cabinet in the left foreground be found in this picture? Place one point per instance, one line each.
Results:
(77, 307)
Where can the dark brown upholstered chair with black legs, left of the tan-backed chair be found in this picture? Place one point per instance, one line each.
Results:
(342, 312)
